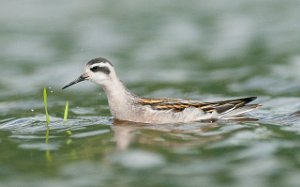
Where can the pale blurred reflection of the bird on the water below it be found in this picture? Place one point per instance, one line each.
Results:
(169, 135)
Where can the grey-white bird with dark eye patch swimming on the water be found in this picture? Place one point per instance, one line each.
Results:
(126, 106)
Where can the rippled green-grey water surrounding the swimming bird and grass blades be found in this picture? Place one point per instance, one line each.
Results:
(205, 50)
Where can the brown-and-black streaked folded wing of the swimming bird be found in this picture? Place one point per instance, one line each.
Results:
(179, 105)
